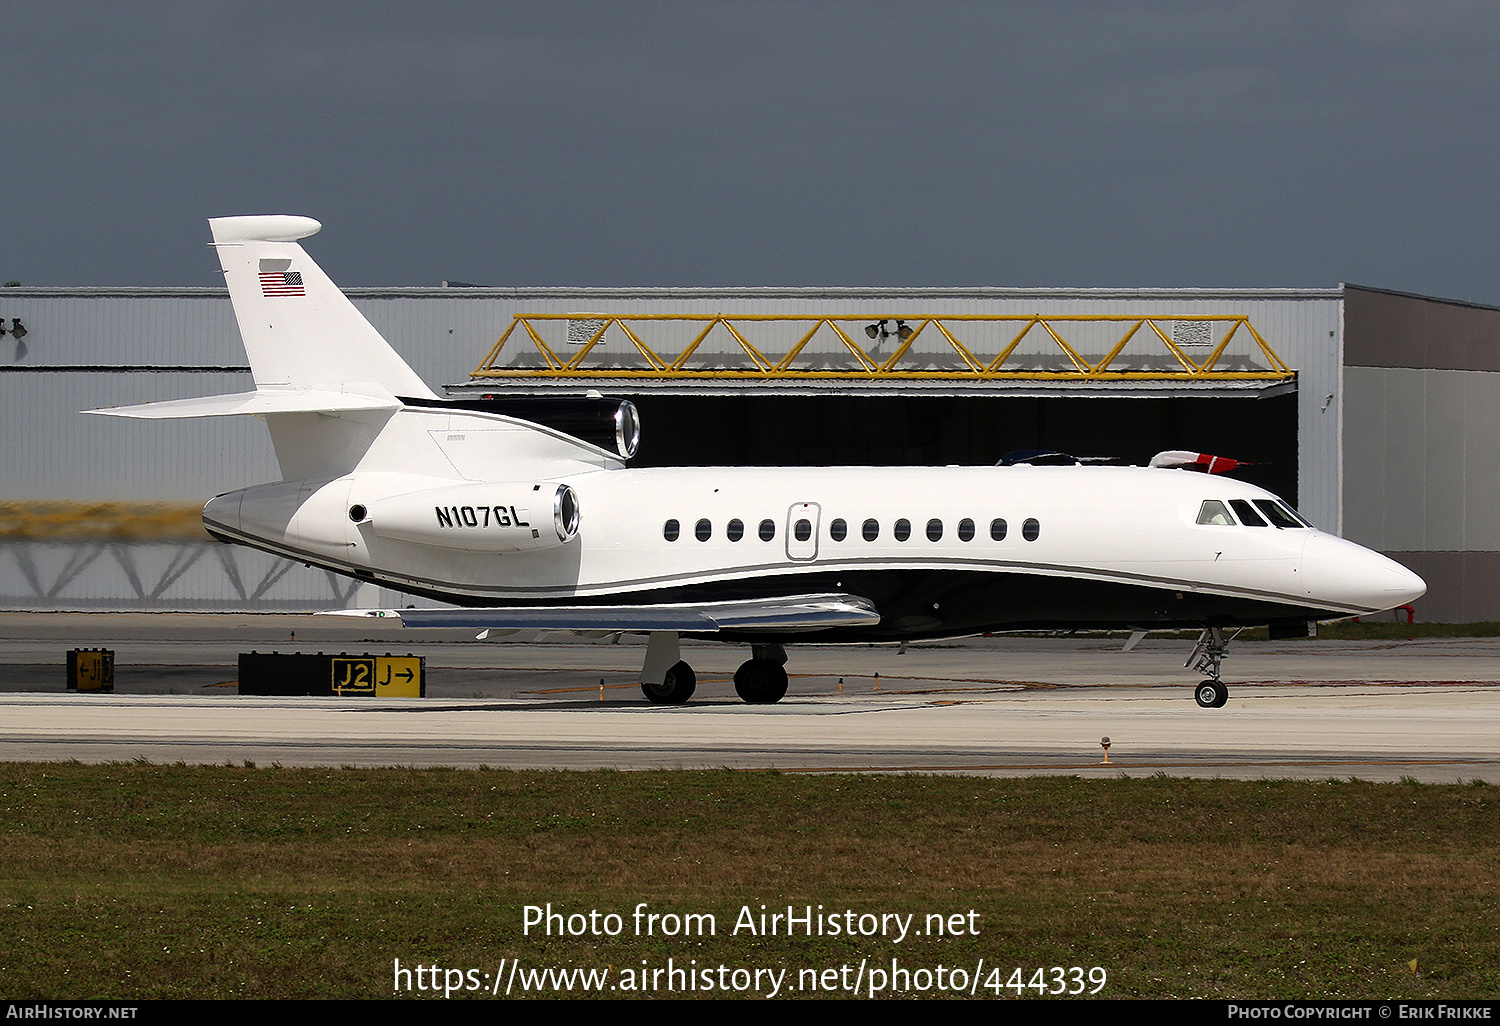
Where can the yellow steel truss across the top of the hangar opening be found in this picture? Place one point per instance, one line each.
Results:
(979, 365)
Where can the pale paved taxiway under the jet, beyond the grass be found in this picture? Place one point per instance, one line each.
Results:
(1427, 710)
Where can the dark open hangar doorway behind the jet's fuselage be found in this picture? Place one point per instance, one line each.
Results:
(916, 431)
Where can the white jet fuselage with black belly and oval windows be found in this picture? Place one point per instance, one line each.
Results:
(940, 551)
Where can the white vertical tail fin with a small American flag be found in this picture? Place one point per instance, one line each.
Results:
(301, 332)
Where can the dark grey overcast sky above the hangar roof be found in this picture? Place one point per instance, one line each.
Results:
(1063, 143)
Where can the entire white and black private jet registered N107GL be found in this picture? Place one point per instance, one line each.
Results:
(524, 514)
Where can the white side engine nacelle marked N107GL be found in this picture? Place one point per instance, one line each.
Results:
(491, 517)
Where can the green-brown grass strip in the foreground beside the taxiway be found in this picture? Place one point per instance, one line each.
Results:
(140, 881)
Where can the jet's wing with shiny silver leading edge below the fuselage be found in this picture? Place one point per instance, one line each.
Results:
(784, 613)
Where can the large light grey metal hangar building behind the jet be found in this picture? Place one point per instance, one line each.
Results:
(1370, 410)
